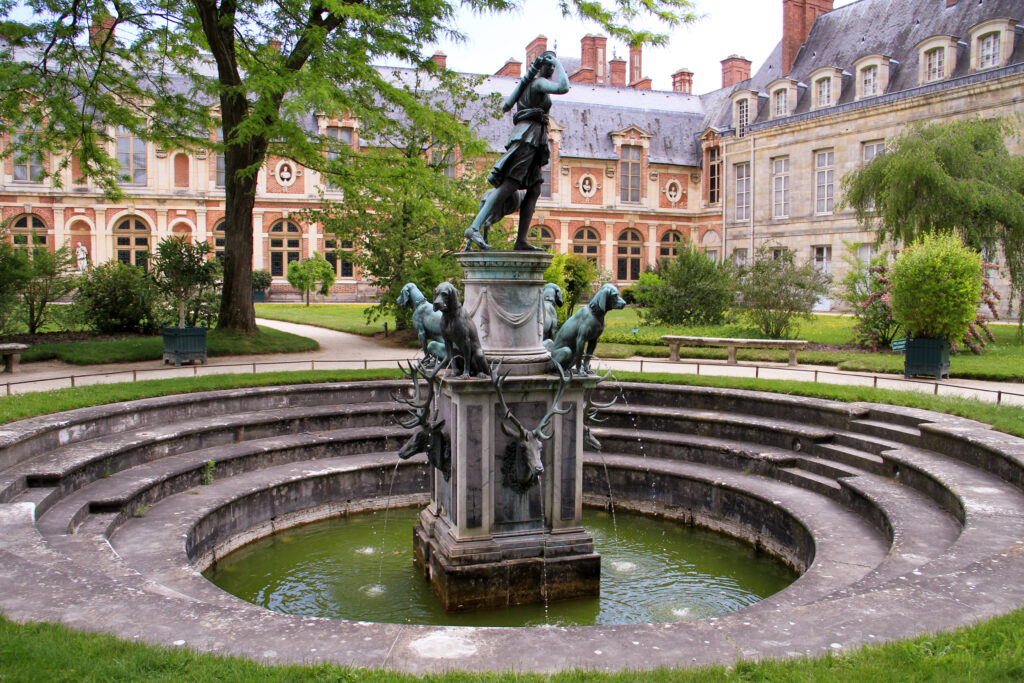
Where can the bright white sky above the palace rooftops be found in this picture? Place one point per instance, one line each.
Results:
(748, 28)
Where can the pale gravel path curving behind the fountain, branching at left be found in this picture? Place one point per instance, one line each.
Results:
(343, 351)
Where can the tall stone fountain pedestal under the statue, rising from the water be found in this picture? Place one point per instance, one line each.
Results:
(485, 541)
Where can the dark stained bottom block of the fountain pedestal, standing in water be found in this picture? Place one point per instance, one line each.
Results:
(517, 581)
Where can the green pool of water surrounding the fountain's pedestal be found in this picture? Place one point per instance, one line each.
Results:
(360, 568)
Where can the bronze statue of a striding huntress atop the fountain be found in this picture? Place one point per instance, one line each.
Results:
(517, 177)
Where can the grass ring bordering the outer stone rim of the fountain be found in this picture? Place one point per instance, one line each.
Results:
(993, 651)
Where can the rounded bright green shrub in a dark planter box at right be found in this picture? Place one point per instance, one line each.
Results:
(935, 296)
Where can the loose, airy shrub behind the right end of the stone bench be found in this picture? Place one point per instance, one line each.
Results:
(778, 292)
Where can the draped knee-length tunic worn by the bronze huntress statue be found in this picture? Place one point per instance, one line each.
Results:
(527, 152)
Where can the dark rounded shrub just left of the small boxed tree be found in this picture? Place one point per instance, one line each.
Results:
(116, 297)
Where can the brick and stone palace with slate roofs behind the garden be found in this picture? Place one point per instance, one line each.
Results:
(634, 172)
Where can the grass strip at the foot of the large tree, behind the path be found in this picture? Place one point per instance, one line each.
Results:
(135, 350)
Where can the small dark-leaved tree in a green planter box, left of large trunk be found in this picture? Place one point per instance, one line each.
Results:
(183, 271)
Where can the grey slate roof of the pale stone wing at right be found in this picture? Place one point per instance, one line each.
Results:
(891, 28)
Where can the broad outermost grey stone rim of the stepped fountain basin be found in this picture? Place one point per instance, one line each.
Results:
(84, 586)
